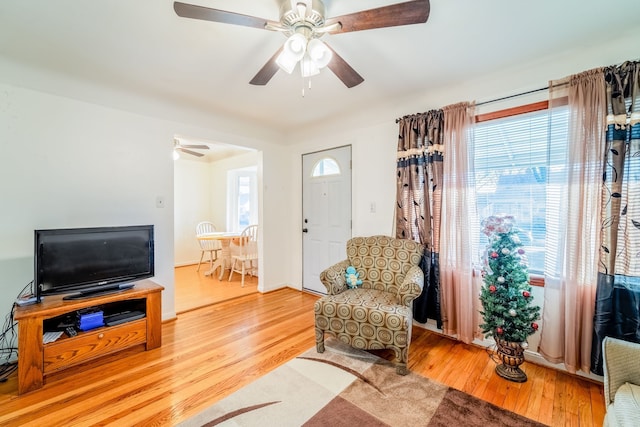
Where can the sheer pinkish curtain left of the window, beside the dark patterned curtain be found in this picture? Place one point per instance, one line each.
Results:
(460, 301)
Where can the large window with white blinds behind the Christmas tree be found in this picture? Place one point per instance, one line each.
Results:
(517, 160)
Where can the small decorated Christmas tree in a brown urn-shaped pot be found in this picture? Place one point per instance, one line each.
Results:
(507, 310)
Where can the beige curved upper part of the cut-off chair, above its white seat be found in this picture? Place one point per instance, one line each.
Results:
(621, 364)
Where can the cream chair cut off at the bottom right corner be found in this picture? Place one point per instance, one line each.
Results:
(621, 382)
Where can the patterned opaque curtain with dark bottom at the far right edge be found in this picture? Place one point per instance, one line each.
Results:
(617, 311)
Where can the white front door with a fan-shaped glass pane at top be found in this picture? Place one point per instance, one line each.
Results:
(326, 212)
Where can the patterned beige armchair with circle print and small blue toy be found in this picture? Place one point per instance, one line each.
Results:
(377, 314)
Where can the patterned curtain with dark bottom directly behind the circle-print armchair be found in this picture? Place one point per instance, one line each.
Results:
(418, 200)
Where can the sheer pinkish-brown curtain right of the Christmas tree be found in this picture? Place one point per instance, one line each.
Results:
(571, 261)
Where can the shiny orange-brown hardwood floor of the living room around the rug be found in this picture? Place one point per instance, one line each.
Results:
(210, 352)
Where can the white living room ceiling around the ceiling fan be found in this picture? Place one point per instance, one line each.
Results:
(143, 47)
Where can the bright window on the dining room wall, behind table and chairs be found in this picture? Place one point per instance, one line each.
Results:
(242, 195)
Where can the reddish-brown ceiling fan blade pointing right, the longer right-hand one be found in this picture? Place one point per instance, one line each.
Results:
(411, 12)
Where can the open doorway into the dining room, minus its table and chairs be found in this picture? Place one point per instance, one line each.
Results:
(202, 193)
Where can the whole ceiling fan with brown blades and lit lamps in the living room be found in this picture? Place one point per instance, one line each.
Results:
(303, 22)
